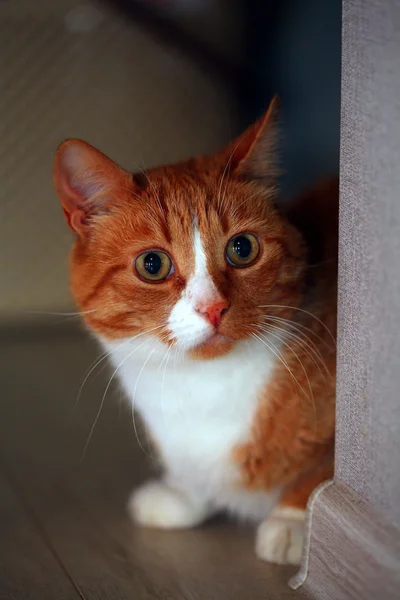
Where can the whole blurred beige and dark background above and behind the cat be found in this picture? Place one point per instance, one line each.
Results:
(148, 82)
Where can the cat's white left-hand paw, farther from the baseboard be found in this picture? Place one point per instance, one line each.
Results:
(156, 504)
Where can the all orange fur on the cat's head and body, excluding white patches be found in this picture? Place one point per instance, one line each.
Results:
(230, 192)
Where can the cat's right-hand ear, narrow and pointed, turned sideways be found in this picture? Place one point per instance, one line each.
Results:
(254, 153)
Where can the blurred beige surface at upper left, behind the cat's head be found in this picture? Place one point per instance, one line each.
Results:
(68, 71)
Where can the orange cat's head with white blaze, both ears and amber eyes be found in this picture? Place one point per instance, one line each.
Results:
(192, 254)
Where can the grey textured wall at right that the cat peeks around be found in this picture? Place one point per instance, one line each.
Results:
(368, 416)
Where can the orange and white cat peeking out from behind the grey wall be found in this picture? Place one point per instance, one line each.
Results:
(217, 306)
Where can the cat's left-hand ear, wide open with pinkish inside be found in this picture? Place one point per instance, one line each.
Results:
(86, 181)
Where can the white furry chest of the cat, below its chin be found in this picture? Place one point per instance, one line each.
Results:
(198, 411)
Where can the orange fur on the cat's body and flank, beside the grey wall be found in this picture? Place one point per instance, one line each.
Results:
(293, 432)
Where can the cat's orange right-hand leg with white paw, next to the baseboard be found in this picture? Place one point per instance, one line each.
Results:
(280, 537)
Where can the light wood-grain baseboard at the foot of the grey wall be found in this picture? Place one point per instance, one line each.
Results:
(353, 554)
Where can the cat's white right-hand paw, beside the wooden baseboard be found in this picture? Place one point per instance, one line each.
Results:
(280, 537)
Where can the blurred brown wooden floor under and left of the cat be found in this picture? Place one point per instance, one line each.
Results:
(64, 533)
